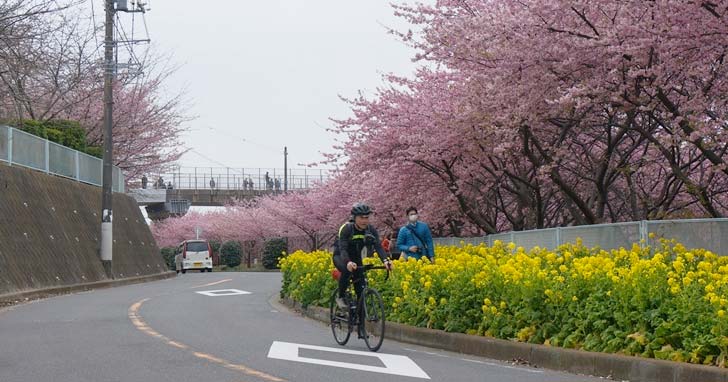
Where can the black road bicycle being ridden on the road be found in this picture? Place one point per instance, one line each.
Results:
(370, 325)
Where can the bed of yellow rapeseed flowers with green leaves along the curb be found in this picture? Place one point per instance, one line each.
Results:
(667, 302)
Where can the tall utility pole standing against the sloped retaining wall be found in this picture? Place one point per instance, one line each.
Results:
(107, 238)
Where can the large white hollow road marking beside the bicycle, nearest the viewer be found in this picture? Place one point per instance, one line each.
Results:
(393, 364)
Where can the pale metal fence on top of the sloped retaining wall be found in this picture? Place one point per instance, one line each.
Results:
(19, 148)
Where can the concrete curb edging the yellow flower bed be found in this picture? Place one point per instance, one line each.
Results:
(614, 366)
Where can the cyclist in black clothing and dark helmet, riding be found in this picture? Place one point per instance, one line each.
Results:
(356, 240)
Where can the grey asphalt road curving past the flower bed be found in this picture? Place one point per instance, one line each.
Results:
(167, 331)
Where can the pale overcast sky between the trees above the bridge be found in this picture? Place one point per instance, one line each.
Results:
(262, 75)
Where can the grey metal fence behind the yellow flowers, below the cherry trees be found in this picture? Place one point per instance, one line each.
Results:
(710, 234)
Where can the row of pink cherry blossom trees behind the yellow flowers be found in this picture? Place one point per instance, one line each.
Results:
(532, 115)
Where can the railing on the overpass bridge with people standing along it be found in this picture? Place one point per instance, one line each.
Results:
(229, 178)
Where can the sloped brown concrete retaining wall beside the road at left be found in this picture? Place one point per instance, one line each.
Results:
(50, 234)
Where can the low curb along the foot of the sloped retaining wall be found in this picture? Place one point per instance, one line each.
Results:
(66, 289)
